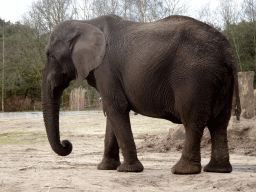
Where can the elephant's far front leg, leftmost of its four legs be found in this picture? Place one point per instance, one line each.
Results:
(111, 159)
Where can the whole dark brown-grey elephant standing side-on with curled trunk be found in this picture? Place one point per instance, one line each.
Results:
(176, 68)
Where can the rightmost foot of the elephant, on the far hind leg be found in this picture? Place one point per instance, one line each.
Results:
(219, 167)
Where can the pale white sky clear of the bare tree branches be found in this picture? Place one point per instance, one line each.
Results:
(13, 9)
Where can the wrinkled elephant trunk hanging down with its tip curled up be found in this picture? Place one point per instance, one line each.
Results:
(51, 99)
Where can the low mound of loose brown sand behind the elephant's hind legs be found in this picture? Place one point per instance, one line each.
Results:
(241, 138)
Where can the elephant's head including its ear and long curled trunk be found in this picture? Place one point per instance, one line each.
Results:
(74, 50)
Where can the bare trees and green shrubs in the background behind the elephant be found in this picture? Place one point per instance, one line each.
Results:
(22, 43)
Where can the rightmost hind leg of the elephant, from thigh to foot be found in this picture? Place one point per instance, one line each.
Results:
(220, 155)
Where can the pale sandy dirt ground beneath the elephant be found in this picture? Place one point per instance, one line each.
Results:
(27, 162)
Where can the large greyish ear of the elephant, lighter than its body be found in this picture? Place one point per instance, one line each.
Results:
(87, 48)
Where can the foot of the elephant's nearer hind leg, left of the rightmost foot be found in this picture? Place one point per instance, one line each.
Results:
(186, 167)
